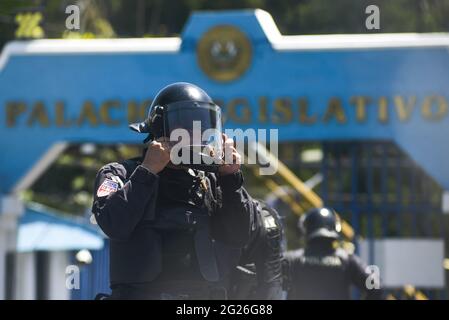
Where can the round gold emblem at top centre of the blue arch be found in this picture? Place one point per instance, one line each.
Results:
(224, 53)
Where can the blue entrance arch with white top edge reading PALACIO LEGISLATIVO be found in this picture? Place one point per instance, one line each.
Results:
(328, 87)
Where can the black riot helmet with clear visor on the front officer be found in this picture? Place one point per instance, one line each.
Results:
(185, 106)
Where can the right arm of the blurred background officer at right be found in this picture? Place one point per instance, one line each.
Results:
(363, 280)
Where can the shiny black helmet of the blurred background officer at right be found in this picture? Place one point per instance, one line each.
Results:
(320, 223)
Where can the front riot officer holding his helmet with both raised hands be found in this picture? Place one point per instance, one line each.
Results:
(176, 229)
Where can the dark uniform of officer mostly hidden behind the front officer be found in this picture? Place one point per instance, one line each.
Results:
(259, 273)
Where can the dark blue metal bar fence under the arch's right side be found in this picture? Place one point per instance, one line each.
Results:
(376, 187)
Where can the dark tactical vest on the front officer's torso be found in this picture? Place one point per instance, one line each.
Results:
(173, 242)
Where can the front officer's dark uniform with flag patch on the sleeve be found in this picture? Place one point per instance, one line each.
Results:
(175, 235)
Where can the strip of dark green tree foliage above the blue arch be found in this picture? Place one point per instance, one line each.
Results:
(137, 18)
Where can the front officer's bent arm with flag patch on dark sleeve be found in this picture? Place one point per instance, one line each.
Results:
(120, 203)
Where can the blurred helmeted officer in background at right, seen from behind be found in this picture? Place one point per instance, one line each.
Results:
(321, 271)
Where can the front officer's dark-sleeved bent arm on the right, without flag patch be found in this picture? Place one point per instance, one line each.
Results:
(235, 217)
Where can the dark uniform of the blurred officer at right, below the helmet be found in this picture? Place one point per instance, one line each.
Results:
(321, 272)
